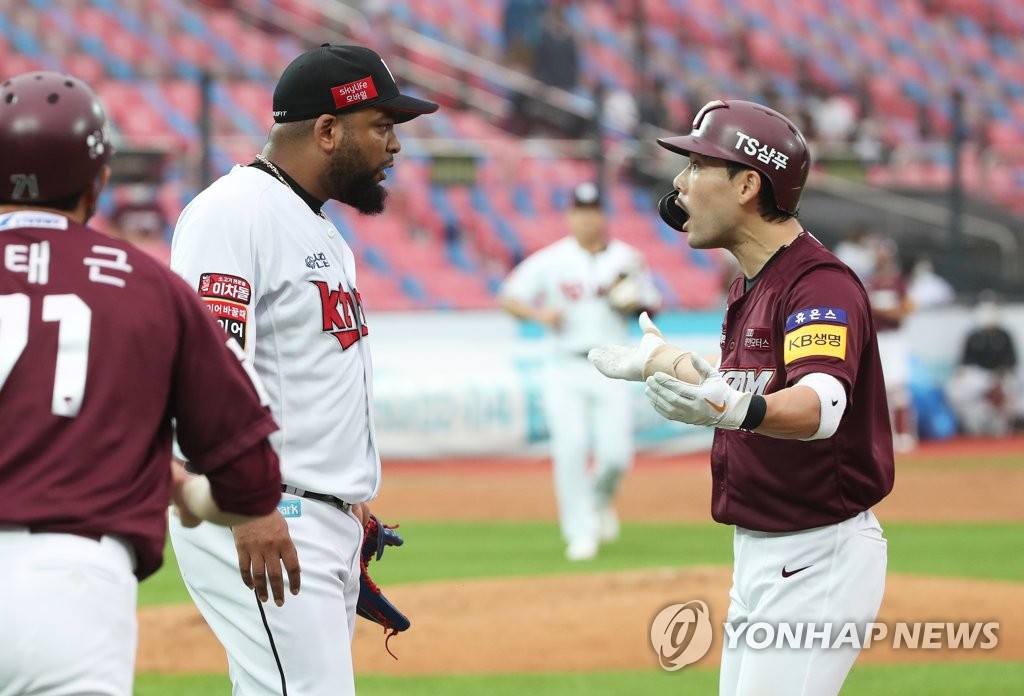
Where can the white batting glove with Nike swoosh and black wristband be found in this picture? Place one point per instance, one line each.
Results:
(712, 403)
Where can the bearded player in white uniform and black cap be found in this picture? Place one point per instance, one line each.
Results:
(283, 283)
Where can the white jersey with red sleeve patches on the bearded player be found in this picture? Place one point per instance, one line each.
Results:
(282, 282)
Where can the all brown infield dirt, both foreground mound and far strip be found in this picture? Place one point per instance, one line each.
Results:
(590, 622)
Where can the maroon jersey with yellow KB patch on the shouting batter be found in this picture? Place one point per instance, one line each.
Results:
(807, 313)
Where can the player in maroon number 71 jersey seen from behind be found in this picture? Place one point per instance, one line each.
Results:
(101, 350)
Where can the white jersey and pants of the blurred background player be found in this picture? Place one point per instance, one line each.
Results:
(584, 409)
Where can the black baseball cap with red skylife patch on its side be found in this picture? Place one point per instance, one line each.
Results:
(334, 79)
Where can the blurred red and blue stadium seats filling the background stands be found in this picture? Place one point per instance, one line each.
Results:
(909, 49)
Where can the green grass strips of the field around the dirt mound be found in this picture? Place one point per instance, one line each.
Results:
(474, 550)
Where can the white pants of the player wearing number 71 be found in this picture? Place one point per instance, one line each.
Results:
(68, 613)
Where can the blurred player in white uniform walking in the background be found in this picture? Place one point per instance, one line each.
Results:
(584, 289)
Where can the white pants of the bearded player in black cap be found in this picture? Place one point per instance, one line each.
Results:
(308, 642)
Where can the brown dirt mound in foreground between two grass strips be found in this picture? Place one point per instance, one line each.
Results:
(581, 623)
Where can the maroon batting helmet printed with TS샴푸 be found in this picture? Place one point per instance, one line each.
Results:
(755, 137)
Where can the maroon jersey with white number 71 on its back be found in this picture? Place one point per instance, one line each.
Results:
(101, 347)
